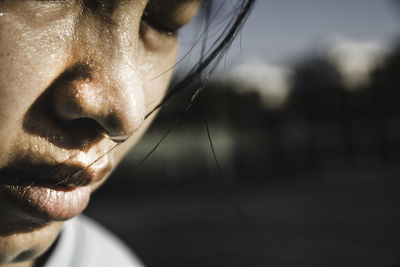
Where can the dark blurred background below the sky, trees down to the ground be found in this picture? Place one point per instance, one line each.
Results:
(316, 180)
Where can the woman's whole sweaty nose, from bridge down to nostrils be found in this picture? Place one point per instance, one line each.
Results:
(108, 88)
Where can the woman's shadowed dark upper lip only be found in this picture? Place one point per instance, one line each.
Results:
(53, 176)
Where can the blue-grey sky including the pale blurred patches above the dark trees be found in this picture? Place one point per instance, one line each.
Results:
(354, 33)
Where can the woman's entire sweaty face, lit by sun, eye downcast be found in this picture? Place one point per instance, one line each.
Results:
(77, 77)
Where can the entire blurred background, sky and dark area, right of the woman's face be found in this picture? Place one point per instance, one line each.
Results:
(304, 118)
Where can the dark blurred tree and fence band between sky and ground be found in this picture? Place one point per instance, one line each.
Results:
(322, 128)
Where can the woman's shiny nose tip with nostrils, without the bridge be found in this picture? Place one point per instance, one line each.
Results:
(112, 98)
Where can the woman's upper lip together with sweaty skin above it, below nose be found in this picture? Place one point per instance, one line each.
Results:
(55, 168)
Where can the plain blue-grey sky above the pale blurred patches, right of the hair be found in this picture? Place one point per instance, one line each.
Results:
(279, 30)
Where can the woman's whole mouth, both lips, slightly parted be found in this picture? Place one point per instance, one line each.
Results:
(52, 192)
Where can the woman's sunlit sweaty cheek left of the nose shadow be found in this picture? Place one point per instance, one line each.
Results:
(29, 62)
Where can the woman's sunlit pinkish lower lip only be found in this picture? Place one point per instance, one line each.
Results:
(50, 204)
